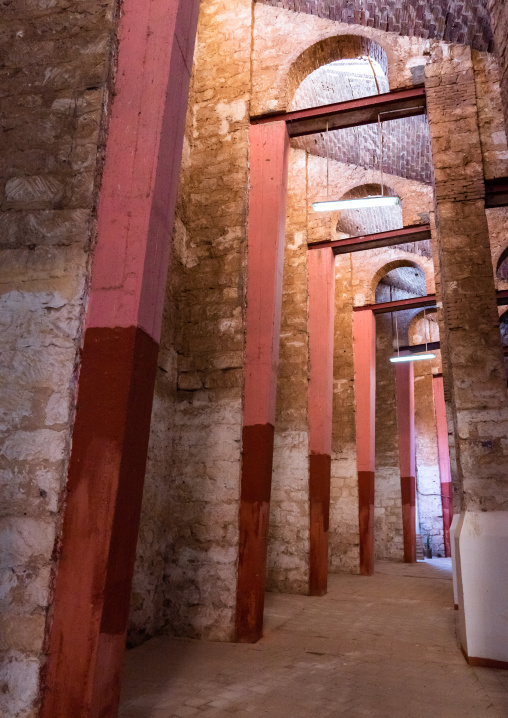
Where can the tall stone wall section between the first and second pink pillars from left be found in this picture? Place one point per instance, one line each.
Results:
(185, 578)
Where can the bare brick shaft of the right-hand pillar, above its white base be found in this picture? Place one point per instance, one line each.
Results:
(467, 288)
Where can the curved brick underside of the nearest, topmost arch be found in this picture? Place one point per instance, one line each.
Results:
(330, 49)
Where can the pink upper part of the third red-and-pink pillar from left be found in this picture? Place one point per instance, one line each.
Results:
(321, 272)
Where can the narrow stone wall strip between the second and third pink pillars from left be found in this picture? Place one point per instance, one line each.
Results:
(288, 541)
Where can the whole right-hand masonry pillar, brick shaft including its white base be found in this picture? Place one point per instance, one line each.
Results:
(475, 359)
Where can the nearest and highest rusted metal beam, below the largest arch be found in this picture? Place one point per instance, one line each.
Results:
(353, 113)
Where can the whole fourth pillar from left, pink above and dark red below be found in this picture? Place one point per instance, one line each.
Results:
(364, 337)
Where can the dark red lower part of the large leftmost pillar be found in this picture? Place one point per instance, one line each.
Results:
(99, 535)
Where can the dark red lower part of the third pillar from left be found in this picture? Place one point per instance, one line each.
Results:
(319, 495)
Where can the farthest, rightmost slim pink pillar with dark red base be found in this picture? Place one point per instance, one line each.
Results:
(444, 459)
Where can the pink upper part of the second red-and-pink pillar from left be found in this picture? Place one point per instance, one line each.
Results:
(269, 145)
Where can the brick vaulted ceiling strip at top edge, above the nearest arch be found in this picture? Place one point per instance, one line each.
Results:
(461, 21)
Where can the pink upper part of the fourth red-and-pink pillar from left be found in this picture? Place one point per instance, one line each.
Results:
(364, 337)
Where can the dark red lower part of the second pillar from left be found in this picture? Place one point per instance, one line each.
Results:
(257, 461)
